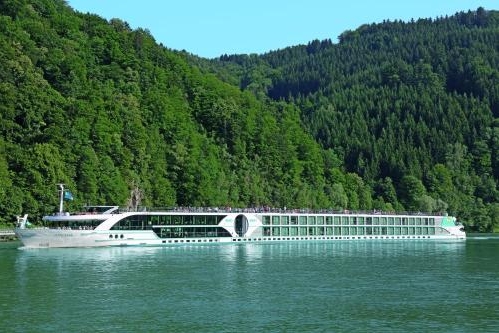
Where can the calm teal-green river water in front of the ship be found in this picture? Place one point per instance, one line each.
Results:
(361, 286)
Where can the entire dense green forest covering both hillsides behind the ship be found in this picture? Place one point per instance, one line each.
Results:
(396, 116)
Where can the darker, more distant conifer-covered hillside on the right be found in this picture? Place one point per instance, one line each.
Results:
(410, 107)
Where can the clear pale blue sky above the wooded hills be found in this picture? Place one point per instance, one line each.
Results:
(210, 28)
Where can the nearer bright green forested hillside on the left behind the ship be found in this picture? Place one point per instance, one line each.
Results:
(108, 111)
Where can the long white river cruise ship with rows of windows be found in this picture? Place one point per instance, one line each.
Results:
(111, 226)
